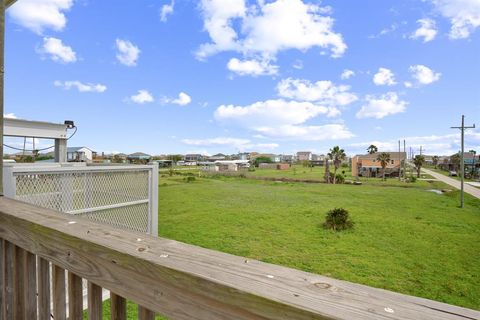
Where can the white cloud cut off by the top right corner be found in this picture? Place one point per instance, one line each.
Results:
(464, 16)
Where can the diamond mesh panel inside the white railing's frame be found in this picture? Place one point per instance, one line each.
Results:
(117, 197)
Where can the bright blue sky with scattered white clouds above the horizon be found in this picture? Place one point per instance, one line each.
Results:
(234, 75)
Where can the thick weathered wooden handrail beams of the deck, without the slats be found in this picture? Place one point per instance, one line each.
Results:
(187, 282)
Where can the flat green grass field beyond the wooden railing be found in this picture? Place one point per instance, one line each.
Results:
(405, 239)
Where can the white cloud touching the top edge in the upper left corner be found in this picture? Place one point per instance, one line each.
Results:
(38, 15)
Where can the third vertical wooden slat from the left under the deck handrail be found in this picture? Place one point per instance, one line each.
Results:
(30, 286)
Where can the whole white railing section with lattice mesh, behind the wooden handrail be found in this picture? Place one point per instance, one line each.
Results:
(125, 196)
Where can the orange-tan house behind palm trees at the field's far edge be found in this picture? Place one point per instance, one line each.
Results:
(367, 165)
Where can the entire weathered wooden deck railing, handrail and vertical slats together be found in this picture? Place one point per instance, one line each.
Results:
(164, 276)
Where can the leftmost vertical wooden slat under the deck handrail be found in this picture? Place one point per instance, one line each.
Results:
(8, 249)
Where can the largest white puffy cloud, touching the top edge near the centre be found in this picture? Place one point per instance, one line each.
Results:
(267, 28)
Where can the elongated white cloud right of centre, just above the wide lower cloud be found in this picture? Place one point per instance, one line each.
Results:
(322, 92)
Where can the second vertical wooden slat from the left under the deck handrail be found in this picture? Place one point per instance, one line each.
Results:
(19, 284)
